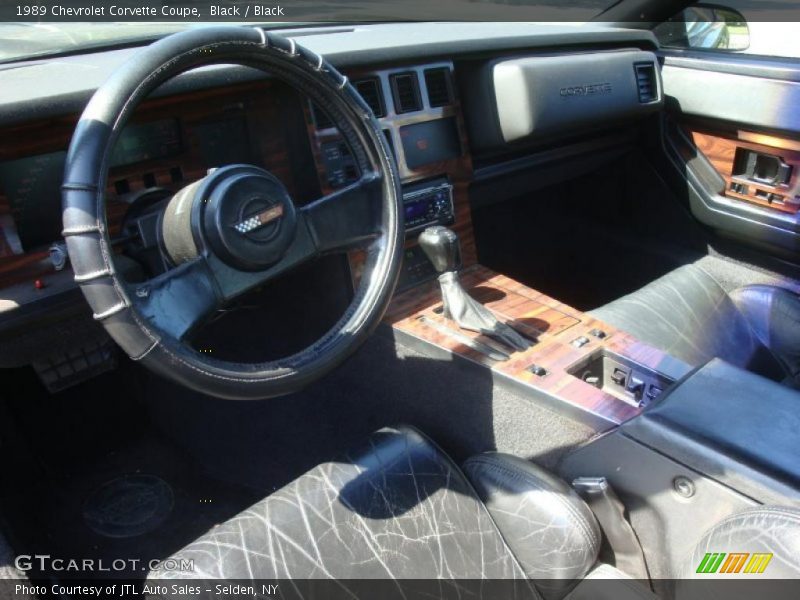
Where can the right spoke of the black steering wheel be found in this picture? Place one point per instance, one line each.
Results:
(348, 218)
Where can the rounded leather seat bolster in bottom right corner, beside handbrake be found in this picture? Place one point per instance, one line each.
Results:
(770, 529)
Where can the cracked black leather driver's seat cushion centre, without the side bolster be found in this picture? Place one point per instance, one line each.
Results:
(396, 508)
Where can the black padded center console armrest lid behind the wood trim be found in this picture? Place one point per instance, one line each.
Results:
(731, 425)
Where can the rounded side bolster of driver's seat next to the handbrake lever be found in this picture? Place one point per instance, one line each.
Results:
(548, 527)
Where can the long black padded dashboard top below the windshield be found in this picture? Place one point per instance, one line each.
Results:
(60, 85)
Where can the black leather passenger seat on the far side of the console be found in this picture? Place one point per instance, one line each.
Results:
(687, 314)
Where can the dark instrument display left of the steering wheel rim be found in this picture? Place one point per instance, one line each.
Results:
(32, 190)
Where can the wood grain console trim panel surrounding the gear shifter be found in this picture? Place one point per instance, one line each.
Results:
(554, 324)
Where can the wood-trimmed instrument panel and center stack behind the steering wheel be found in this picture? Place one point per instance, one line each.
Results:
(172, 142)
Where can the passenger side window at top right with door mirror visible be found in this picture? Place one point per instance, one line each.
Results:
(735, 26)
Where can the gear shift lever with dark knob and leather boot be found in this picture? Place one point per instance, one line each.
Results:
(442, 247)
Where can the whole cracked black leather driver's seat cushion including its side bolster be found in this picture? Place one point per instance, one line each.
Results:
(399, 508)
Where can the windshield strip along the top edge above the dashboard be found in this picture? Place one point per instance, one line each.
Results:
(23, 40)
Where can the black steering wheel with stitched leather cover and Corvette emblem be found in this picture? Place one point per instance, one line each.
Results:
(236, 228)
